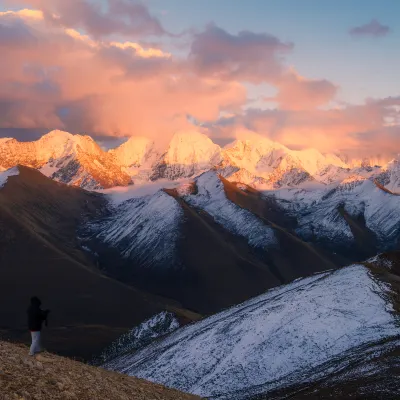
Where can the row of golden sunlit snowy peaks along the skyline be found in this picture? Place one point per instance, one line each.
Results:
(257, 161)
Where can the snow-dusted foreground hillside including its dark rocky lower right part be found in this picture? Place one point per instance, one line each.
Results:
(316, 333)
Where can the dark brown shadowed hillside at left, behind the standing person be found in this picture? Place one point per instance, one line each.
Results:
(40, 255)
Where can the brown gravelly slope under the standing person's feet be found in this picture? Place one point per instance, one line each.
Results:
(52, 377)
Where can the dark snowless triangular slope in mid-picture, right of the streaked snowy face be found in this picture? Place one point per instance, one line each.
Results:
(219, 268)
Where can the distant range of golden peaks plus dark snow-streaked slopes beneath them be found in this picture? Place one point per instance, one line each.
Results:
(235, 222)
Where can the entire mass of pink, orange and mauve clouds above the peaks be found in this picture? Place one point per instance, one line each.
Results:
(62, 68)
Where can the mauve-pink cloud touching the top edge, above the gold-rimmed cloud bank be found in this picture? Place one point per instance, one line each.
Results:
(123, 17)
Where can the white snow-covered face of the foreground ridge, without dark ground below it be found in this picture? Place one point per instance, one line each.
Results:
(262, 342)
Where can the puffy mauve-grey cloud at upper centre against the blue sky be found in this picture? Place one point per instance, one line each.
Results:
(247, 56)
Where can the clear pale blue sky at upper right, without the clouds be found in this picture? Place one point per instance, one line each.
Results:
(362, 66)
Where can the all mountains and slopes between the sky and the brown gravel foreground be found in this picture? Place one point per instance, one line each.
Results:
(131, 247)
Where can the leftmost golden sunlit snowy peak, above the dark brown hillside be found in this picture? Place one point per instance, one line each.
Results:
(73, 159)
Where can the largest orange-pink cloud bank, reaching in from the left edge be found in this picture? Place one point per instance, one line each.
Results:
(56, 77)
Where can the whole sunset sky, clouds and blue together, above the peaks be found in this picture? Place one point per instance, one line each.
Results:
(306, 73)
